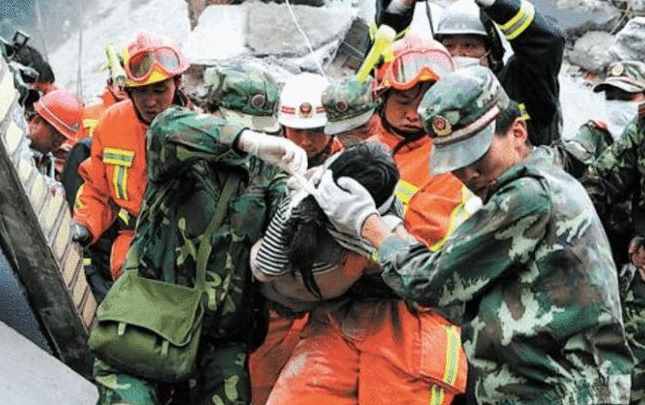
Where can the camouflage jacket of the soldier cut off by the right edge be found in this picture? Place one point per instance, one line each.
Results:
(618, 175)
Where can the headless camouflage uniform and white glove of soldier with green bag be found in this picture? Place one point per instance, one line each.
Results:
(189, 157)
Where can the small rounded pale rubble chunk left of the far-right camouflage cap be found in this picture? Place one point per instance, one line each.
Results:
(590, 51)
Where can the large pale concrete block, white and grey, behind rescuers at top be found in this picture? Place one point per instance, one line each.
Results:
(259, 30)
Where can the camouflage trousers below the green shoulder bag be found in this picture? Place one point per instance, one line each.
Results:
(221, 378)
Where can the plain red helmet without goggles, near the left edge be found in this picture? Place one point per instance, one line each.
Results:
(63, 111)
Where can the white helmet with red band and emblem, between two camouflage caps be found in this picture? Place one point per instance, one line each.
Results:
(300, 102)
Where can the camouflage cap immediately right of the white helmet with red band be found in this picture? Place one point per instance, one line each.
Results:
(348, 104)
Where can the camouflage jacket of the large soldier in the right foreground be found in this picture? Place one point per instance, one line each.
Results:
(516, 276)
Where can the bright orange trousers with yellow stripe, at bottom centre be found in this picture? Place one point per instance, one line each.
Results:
(373, 353)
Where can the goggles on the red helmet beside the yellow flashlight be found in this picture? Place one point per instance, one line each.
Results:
(407, 70)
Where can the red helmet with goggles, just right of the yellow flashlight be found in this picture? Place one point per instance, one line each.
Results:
(411, 60)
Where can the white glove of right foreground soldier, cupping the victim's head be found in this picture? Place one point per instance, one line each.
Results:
(346, 204)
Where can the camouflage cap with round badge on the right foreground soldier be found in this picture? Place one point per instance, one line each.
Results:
(458, 112)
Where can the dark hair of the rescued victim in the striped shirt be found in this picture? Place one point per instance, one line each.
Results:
(372, 166)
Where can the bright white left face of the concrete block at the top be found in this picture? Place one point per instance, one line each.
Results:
(220, 34)
